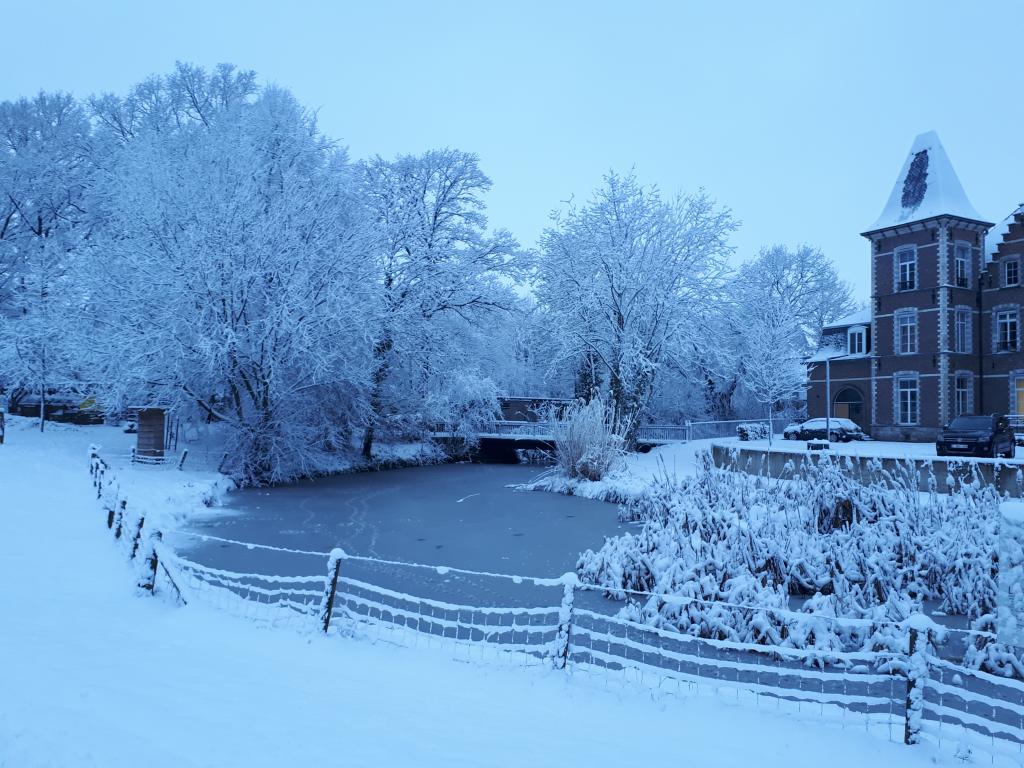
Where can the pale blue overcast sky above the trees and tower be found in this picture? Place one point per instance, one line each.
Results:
(796, 115)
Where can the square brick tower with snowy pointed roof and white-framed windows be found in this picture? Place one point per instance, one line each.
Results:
(927, 262)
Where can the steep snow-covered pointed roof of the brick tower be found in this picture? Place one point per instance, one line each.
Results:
(927, 187)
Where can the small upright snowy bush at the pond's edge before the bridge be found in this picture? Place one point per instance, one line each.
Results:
(586, 443)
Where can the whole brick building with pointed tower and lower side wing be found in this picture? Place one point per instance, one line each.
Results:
(943, 336)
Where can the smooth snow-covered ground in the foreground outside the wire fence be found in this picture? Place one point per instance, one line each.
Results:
(96, 675)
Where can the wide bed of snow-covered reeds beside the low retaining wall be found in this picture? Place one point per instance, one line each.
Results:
(871, 551)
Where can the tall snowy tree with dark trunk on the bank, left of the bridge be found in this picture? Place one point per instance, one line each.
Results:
(434, 264)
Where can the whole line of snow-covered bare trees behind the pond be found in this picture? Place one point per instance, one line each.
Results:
(200, 244)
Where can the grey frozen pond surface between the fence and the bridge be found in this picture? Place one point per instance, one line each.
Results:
(460, 516)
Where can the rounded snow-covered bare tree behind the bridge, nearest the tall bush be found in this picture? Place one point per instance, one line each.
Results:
(625, 280)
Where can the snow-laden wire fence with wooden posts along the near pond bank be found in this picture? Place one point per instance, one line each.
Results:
(915, 691)
